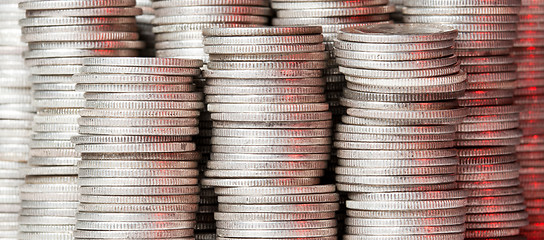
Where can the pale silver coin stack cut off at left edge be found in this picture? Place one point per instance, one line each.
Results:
(16, 115)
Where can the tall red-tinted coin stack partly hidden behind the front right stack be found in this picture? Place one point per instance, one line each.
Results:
(488, 135)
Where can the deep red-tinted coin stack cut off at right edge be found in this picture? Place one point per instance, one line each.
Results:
(529, 55)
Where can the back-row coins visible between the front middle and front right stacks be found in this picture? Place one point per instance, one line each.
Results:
(332, 16)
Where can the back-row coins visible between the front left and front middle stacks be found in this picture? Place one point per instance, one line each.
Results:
(179, 23)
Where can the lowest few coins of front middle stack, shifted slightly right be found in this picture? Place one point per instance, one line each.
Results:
(300, 212)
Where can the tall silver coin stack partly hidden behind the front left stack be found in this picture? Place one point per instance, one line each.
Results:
(59, 35)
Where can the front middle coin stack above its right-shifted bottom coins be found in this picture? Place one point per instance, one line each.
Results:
(265, 92)
